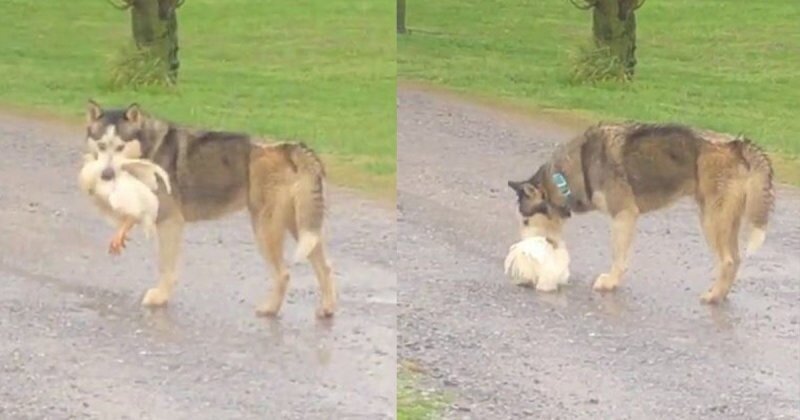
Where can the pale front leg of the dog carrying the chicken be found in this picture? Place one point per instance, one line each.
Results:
(170, 235)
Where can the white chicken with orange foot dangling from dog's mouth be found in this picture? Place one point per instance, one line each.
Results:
(128, 198)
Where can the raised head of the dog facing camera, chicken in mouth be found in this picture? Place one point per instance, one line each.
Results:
(113, 135)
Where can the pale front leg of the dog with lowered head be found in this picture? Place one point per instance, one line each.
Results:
(623, 226)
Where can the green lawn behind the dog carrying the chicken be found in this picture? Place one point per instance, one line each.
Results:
(315, 70)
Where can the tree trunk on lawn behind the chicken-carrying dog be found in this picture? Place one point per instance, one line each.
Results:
(155, 28)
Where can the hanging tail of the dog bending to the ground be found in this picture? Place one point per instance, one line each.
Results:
(759, 193)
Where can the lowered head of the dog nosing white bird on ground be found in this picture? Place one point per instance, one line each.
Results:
(539, 212)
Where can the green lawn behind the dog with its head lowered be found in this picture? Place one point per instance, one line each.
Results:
(719, 64)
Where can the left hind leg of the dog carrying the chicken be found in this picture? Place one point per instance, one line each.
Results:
(269, 230)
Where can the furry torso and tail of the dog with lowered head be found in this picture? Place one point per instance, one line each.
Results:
(659, 164)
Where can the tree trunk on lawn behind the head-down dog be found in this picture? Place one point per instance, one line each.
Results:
(614, 27)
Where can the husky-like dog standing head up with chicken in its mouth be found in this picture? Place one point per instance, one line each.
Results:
(214, 174)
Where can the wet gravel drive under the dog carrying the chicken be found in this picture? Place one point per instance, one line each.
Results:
(74, 342)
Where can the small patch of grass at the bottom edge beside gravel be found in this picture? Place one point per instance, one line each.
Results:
(413, 403)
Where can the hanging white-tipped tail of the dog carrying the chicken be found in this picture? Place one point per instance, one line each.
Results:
(309, 198)
